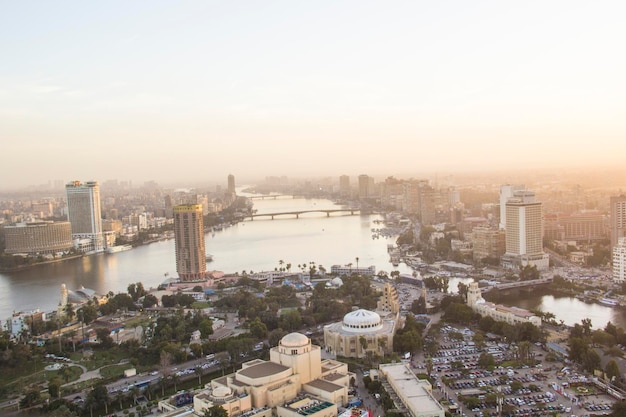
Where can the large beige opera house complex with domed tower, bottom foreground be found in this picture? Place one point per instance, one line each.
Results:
(294, 375)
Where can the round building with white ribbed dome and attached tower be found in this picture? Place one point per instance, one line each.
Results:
(362, 330)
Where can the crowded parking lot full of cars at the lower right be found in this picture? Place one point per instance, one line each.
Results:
(542, 389)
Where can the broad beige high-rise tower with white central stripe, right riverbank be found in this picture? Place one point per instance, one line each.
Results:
(524, 233)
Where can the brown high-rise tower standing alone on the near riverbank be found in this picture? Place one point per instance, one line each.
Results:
(189, 242)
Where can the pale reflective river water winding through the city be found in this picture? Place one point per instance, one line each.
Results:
(256, 246)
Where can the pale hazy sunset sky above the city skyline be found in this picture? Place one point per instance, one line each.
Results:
(169, 90)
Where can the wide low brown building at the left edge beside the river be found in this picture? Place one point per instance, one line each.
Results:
(38, 238)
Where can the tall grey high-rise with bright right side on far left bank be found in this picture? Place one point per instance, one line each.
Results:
(84, 213)
